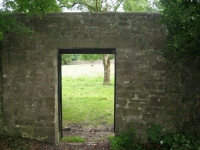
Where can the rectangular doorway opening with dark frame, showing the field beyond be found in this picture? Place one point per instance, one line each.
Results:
(86, 94)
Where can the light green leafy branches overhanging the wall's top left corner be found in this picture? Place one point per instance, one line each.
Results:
(29, 7)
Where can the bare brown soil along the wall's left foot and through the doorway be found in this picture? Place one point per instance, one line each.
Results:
(96, 139)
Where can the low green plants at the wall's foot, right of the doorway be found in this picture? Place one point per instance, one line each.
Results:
(157, 140)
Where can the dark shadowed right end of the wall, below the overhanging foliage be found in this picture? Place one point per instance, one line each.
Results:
(183, 108)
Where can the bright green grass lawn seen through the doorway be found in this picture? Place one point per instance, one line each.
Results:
(87, 101)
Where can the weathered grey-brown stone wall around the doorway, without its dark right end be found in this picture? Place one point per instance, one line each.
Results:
(30, 73)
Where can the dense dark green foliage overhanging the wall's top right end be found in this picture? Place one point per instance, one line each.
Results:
(183, 21)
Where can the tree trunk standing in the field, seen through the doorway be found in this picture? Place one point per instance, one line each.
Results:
(106, 65)
